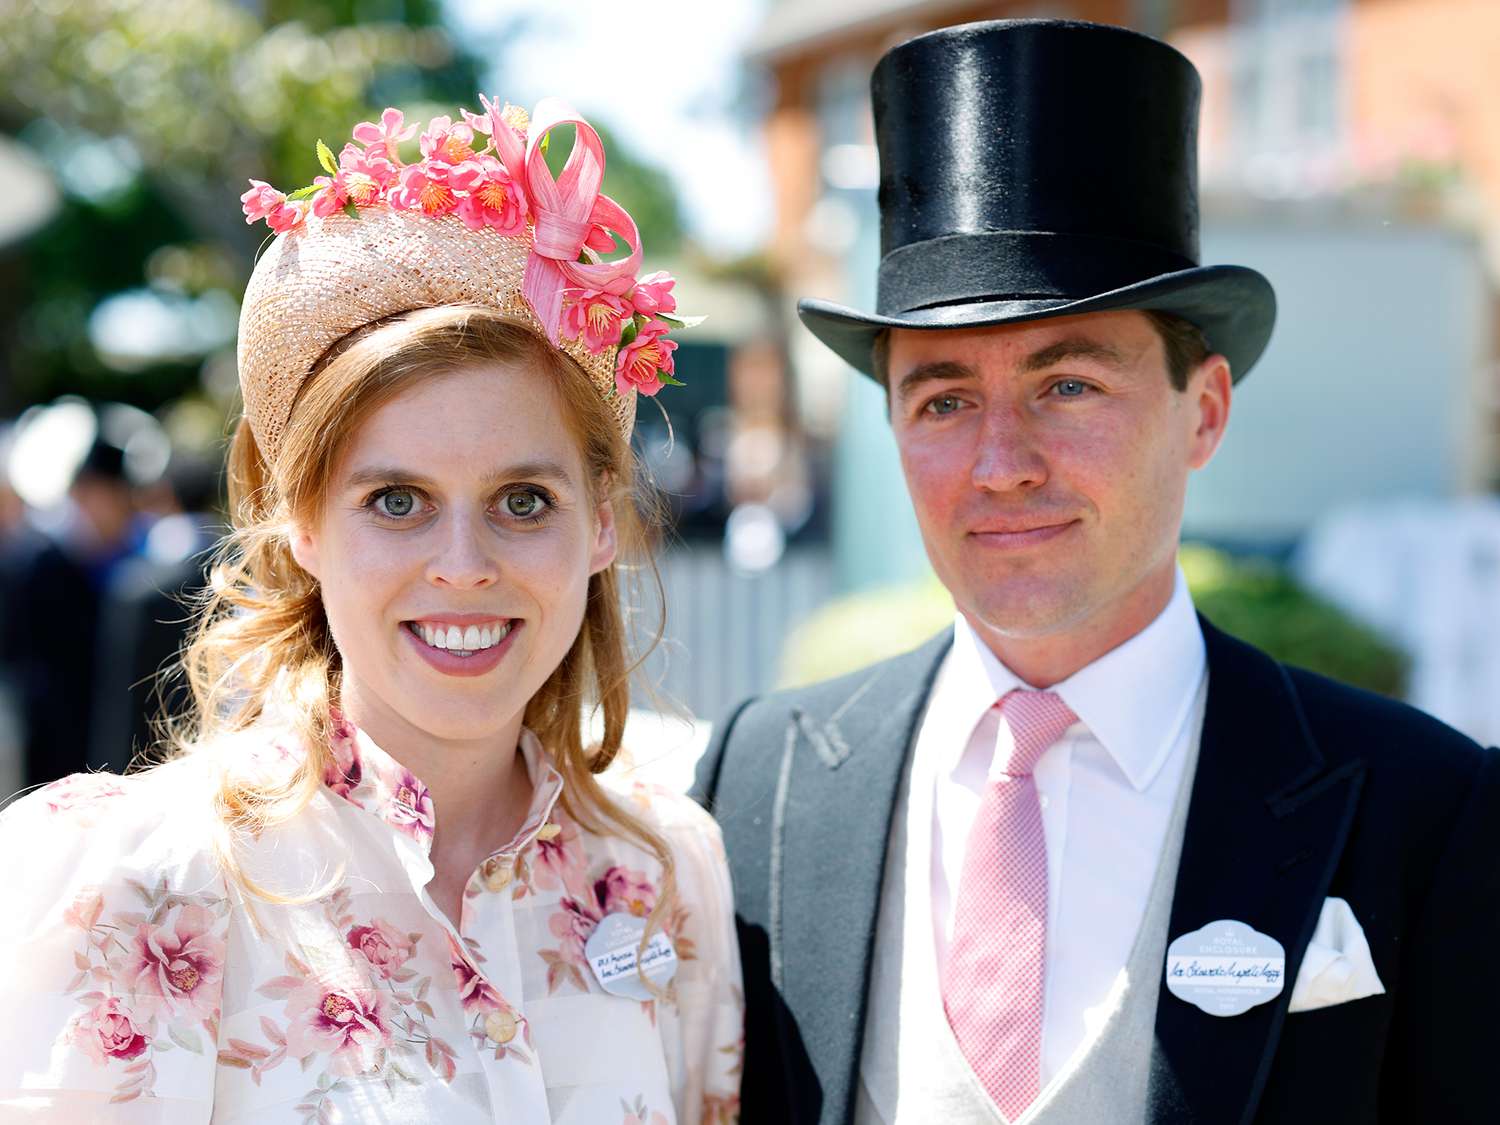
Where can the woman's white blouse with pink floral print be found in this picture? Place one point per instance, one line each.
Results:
(140, 986)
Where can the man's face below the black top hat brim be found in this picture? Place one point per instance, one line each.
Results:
(1048, 463)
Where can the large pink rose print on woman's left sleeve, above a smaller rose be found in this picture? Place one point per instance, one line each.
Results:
(178, 964)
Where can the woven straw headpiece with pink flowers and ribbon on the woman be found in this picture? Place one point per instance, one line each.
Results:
(479, 220)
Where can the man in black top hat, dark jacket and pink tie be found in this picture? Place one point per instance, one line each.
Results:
(1084, 859)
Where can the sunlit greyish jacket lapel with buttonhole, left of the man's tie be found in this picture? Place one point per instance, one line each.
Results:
(836, 793)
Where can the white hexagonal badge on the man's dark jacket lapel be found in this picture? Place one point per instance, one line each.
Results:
(1226, 968)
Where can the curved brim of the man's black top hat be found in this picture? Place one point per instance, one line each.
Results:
(1232, 305)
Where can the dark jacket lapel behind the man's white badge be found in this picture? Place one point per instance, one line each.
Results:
(1267, 826)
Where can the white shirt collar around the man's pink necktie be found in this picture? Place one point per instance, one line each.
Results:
(1135, 698)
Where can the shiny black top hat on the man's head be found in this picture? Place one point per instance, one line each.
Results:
(1037, 169)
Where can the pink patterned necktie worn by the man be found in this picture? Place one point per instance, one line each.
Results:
(992, 980)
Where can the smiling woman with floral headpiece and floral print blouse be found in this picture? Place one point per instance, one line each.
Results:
(383, 880)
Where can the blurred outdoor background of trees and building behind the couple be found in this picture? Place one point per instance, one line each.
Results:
(1351, 151)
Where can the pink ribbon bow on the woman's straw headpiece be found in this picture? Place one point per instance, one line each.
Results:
(569, 214)
